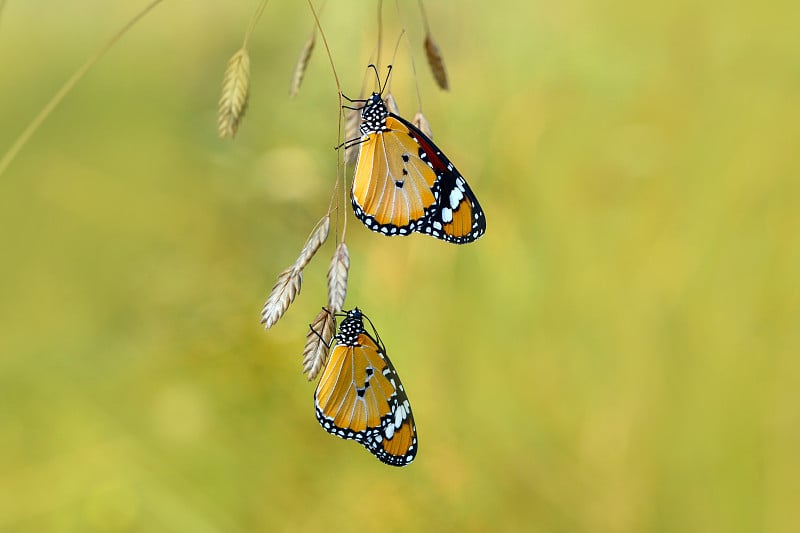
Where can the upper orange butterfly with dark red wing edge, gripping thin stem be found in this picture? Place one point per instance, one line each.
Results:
(404, 183)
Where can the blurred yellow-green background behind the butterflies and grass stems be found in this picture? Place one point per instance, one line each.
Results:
(619, 353)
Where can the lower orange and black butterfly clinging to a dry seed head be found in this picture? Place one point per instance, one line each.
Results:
(360, 397)
